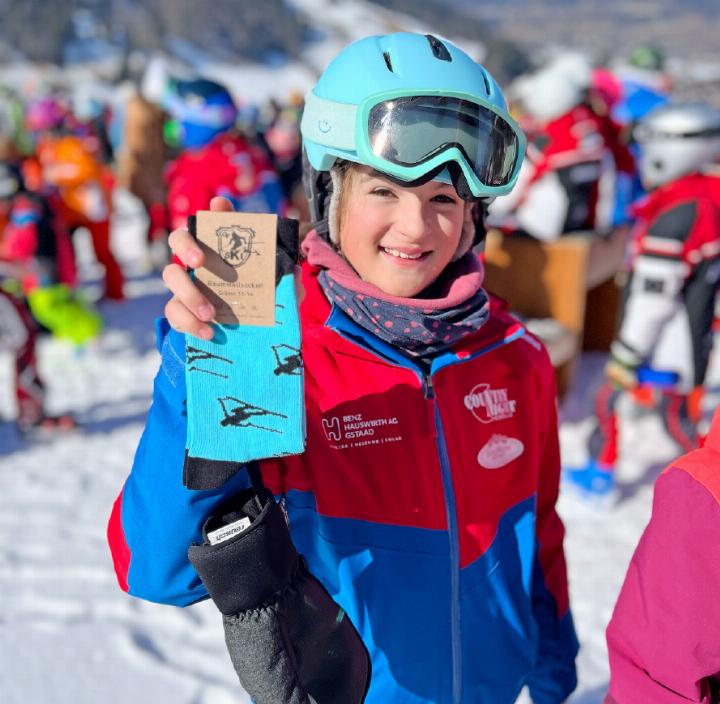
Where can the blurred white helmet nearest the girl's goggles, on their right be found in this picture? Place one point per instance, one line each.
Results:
(554, 89)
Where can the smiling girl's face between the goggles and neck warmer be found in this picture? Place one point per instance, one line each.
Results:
(400, 239)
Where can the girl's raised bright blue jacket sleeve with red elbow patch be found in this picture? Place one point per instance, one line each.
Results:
(155, 518)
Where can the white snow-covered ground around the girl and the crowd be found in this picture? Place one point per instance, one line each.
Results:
(67, 632)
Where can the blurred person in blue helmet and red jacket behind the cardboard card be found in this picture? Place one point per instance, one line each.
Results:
(215, 159)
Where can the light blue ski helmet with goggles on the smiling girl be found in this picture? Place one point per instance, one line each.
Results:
(413, 107)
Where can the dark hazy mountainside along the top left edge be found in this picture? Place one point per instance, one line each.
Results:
(41, 29)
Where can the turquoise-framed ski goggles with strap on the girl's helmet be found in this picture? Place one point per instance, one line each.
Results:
(409, 137)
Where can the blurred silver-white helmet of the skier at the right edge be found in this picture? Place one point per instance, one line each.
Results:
(677, 139)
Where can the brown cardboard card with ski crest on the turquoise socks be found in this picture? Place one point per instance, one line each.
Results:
(239, 273)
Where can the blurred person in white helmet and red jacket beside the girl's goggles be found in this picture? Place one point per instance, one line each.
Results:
(575, 163)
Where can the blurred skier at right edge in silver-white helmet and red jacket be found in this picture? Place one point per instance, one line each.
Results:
(665, 336)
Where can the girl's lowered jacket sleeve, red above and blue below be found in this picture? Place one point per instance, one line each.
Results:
(554, 676)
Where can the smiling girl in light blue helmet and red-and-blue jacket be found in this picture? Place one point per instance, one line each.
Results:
(425, 498)
